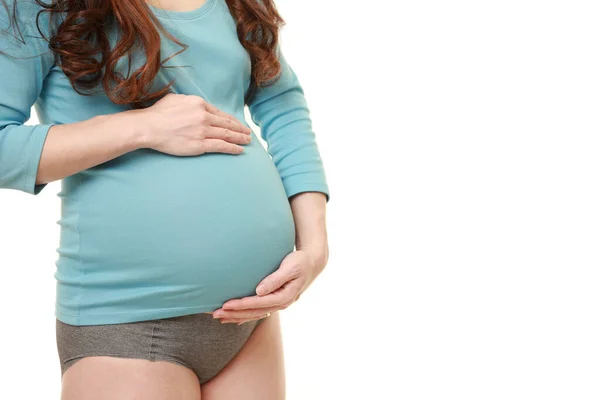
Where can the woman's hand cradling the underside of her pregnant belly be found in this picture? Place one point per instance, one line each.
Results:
(278, 290)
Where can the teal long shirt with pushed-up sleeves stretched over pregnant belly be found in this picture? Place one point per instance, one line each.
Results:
(149, 235)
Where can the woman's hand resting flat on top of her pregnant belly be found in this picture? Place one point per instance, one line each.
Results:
(188, 125)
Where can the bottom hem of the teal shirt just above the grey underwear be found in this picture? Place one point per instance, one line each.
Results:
(130, 316)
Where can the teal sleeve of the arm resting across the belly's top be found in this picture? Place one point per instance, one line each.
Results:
(23, 69)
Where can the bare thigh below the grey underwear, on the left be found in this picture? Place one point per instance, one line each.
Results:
(107, 378)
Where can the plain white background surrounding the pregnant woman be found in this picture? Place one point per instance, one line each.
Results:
(460, 140)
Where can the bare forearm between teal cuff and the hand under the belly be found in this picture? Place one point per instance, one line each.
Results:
(309, 213)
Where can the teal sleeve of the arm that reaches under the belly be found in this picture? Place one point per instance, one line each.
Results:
(282, 113)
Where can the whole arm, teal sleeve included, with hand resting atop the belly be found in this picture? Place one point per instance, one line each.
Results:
(33, 155)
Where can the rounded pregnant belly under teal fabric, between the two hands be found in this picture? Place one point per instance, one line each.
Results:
(161, 231)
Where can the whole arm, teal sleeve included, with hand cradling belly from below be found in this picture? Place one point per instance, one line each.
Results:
(282, 113)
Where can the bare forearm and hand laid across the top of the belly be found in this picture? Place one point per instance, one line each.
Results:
(182, 125)
